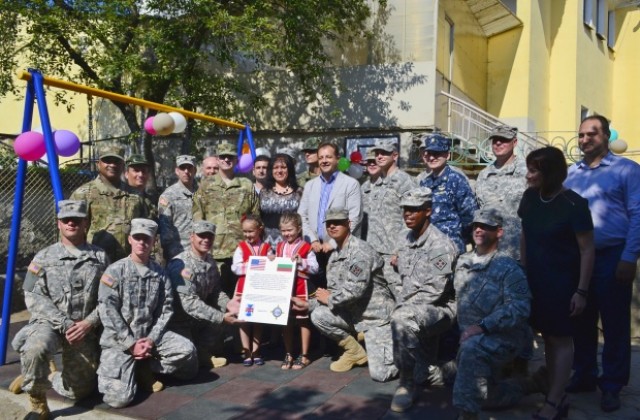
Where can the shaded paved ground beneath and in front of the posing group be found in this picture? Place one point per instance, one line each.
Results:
(266, 391)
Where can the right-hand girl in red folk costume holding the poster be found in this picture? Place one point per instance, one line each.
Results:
(294, 247)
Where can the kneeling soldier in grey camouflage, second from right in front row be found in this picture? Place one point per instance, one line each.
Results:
(426, 308)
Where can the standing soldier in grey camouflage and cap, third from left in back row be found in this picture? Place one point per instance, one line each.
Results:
(175, 209)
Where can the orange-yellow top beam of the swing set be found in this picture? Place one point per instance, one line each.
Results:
(25, 75)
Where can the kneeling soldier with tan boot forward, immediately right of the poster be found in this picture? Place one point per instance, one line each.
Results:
(357, 299)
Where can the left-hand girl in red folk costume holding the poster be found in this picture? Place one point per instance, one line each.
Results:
(253, 230)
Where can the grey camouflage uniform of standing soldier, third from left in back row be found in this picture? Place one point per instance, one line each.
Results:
(175, 213)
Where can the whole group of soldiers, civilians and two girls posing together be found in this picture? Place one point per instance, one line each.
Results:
(386, 269)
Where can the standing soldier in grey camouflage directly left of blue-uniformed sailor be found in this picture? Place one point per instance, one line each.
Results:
(385, 215)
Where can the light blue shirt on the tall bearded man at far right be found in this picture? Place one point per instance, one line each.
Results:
(613, 191)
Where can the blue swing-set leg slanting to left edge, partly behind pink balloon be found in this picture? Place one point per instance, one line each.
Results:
(15, 230)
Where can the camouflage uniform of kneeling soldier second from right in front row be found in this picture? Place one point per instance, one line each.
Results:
(427, 306)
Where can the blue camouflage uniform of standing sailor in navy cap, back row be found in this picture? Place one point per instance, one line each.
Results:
(453, 205)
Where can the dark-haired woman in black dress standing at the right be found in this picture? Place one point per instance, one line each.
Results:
(557, 251)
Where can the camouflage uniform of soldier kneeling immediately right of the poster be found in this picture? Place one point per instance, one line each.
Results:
(360, 301)
